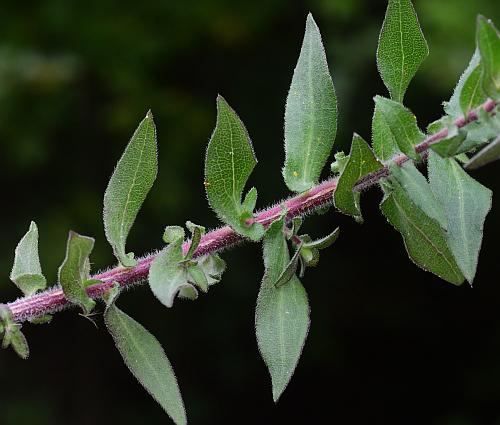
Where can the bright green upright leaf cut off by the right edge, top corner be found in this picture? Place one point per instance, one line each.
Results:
(488, 43)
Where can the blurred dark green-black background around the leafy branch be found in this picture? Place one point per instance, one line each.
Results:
(389, 343)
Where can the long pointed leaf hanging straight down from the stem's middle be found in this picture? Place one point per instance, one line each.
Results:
(282, 314)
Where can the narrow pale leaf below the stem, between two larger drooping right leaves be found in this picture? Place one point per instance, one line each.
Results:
(418, 190)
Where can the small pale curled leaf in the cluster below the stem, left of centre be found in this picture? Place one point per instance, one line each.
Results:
(168, 276)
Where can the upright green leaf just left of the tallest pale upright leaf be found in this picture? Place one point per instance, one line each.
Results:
(228, 164)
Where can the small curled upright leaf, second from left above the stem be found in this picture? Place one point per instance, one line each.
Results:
(73, 272)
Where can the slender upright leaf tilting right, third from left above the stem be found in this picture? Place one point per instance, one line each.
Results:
(128, 187)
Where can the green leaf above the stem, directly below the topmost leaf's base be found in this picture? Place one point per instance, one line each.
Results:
(402, 125)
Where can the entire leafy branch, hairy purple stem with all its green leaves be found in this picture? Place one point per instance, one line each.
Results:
(439, 210)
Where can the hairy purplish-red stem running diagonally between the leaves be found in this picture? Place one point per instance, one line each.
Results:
(320, 196)
